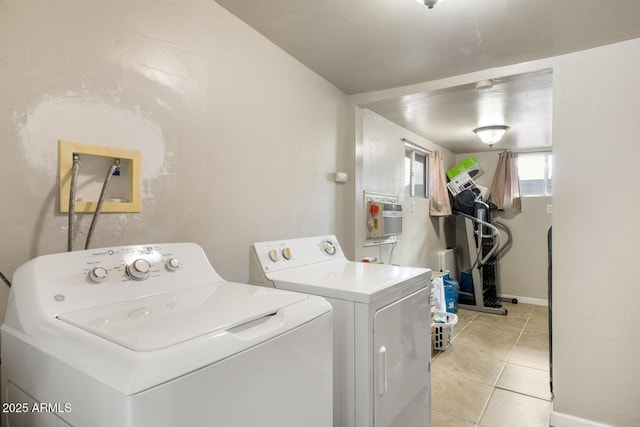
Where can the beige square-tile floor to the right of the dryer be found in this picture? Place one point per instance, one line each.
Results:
(495, 373)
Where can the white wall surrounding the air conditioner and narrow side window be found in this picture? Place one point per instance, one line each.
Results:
(381, 170)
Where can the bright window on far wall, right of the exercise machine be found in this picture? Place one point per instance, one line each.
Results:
(535, 174)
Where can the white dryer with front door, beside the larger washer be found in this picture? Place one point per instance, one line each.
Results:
(382, 343)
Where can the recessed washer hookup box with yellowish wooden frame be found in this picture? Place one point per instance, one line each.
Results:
(123, 194)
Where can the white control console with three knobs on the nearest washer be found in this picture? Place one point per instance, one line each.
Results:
(61, 283)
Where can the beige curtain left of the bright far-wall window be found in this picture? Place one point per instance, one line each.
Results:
(505, 190)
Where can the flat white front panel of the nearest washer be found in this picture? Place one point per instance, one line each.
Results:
(242, 392)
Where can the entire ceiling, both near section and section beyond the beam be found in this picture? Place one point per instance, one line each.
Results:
(368, 45)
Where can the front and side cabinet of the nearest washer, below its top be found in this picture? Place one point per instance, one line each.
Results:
(263, 383)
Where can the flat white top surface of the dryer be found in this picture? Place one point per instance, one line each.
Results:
(349, 280)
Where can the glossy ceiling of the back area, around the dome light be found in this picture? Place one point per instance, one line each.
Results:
(448, 117)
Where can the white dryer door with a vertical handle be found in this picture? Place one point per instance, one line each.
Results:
(402, 354)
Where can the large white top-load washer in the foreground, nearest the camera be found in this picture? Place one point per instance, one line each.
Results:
(152, 336)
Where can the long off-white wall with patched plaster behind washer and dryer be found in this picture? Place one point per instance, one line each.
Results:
(238, 139)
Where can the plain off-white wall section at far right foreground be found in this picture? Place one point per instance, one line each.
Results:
(596, 285)
